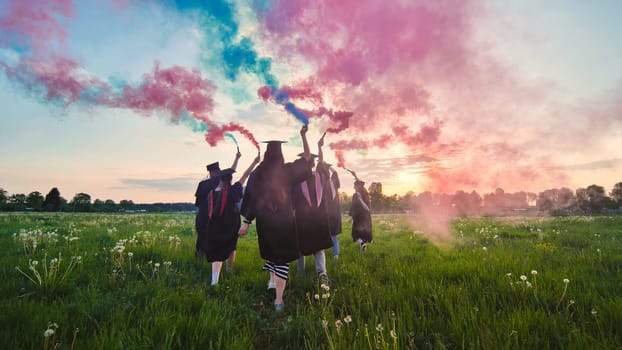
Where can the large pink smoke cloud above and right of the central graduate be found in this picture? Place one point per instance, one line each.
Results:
(367, 55)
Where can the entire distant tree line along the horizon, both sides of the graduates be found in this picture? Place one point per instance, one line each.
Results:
(556, 201)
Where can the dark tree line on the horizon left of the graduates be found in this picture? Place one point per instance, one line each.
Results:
(81, 202)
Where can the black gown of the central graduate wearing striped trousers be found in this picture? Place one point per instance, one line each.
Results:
(275, 224)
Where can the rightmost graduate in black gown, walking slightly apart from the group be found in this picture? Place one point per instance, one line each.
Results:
(360, 210)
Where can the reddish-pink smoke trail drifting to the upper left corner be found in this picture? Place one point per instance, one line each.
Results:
(35, 26)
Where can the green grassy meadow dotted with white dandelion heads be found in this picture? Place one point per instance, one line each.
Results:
(131, 281)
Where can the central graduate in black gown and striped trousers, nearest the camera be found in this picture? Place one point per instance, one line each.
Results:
(267, 199)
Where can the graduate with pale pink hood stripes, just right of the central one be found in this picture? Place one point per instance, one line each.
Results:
(312, 228)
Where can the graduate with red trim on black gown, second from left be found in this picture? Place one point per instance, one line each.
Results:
(224, 220)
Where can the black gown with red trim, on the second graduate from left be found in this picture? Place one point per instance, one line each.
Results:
(224, 223)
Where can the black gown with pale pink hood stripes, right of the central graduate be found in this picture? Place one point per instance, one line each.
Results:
(311, 215)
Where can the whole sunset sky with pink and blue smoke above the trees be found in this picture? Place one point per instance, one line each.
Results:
(130, 99)
